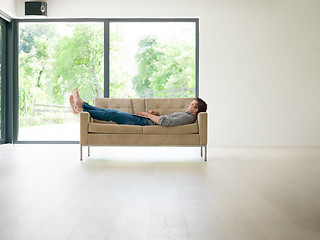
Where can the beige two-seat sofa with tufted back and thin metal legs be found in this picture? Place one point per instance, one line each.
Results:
(98, 133)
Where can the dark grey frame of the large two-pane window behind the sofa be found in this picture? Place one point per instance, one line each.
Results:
(106, 22)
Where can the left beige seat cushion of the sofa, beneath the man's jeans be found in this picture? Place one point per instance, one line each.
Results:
(114, 128)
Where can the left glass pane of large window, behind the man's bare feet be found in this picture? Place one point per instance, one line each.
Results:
(53, 59)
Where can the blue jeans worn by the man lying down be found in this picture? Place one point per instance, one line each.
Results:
(114, 116)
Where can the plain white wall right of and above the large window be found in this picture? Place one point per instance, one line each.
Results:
(259, 63)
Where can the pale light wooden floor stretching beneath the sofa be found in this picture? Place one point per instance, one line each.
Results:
(159, 193)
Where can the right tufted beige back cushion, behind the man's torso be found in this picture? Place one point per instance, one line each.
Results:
(167, 105)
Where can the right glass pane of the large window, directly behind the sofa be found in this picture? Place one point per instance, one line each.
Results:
(152, 59)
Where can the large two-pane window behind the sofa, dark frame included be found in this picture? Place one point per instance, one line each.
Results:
(104, 58)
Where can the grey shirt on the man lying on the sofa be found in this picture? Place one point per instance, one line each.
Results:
(175, 119)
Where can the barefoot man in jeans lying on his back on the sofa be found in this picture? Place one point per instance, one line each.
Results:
(143, 119)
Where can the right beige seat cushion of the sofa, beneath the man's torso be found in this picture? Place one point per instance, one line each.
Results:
(183, 129)
